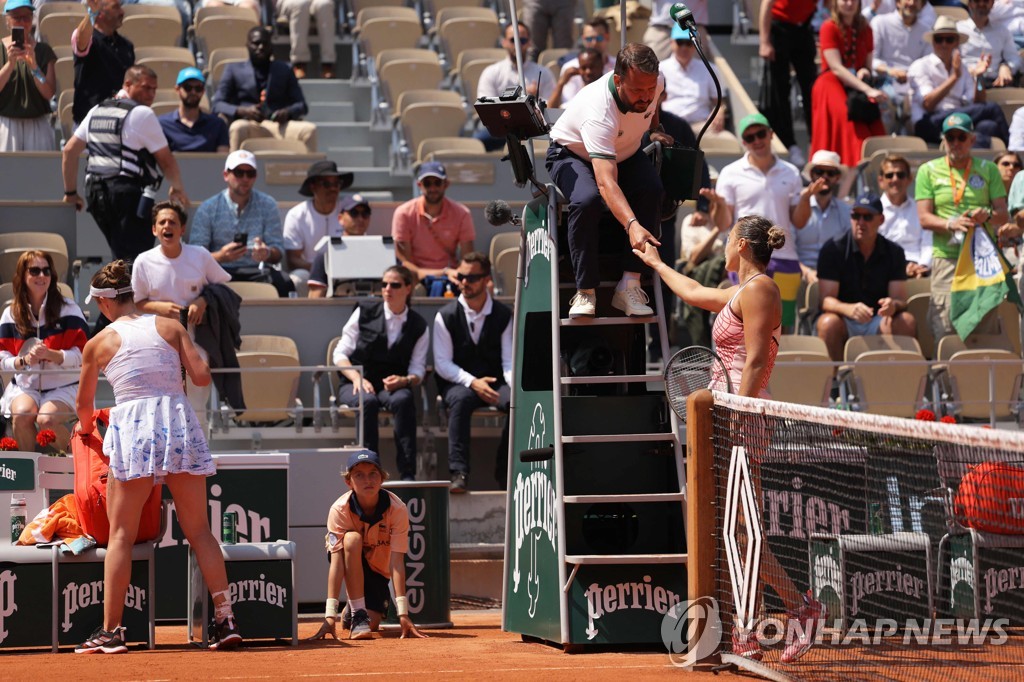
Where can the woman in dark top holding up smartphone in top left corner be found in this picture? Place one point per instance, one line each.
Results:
(28, 82)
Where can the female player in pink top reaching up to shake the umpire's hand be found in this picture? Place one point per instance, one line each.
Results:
(747, 336)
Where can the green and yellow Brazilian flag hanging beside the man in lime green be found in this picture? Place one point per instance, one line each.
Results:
(982, 282)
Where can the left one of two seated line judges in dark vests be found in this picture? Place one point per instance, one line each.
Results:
(390, 340)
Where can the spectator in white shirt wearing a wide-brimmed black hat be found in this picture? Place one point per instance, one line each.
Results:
(307, 225)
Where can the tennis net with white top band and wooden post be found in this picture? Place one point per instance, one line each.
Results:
(852, 546)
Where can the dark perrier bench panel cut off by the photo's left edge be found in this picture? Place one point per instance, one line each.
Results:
(26, 599)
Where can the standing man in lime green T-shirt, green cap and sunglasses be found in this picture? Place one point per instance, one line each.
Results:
(955, 193)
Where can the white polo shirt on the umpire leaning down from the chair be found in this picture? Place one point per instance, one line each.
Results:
(594, 127)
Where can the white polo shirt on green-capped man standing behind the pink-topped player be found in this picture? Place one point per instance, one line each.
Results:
(772, 195)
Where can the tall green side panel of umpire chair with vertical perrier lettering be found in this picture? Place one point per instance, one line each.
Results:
(533, 595)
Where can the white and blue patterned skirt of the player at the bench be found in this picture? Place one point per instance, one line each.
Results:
(156, 437)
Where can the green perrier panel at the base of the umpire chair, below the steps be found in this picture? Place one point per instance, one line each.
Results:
(623, 605)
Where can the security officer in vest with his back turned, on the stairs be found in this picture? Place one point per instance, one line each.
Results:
(127, 152)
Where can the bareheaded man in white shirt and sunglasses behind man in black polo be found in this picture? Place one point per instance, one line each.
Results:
(902, 225)
